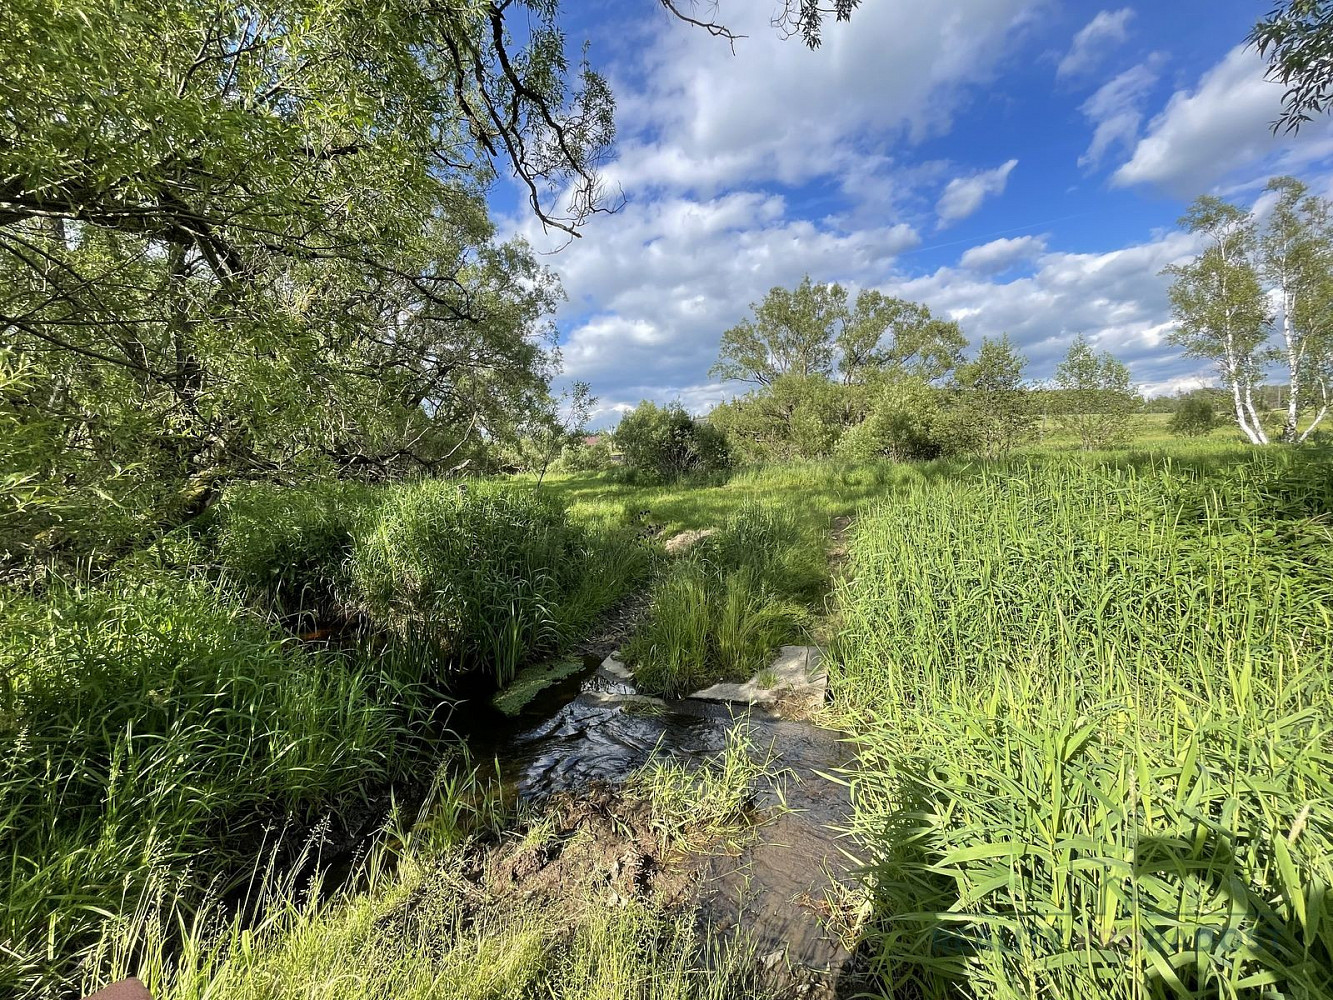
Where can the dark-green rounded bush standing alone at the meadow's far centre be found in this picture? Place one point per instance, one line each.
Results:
(666, 443)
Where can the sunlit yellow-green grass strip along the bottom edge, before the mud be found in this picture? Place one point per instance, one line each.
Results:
(421, 933)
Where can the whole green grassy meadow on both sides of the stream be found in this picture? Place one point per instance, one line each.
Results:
(1090, 695)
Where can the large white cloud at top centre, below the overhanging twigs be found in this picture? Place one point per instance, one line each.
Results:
(698, 118)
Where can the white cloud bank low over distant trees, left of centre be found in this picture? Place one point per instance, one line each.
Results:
(653, 287)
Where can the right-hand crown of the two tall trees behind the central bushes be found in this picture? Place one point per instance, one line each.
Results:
(883, 334)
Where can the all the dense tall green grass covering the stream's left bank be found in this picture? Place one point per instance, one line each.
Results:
(162, 731)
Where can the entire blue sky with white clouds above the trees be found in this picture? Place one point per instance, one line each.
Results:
(1018, 166)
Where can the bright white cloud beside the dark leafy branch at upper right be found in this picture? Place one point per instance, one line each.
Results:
(1220, 129)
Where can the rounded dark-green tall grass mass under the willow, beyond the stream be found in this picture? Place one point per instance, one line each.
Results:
(478, 575)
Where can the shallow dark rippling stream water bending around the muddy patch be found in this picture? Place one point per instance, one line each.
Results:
(593, 729)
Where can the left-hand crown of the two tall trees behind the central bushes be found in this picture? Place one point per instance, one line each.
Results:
(791, 334)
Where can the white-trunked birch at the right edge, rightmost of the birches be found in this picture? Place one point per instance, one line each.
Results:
(1296, 255)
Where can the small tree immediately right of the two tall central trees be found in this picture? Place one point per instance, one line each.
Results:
(991, 409)
